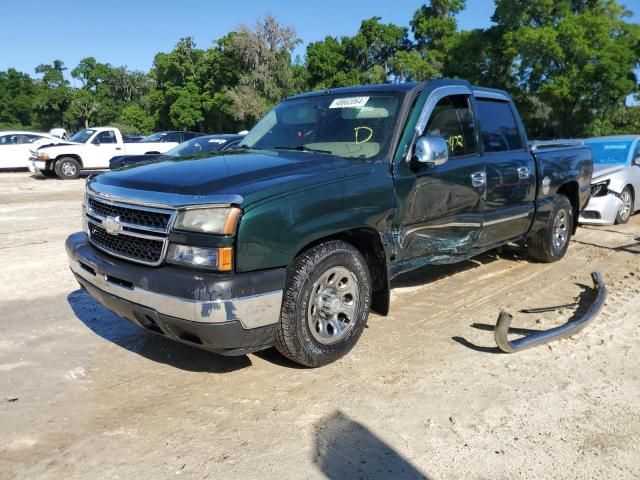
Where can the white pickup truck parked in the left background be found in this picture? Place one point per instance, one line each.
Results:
(89, 149)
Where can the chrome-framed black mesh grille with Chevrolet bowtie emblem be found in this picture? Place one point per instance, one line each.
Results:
(140, 234)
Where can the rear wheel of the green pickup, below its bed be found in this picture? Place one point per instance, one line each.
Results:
(551, 243)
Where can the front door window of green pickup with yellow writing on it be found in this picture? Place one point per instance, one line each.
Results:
(452, 119)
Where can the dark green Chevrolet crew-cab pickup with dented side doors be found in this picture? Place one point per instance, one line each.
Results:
(294, 237)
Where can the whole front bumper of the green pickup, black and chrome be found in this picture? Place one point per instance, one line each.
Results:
(230, 314)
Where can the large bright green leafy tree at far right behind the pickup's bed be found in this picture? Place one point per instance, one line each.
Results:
(572, 61)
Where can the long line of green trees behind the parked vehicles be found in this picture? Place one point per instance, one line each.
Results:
(568, 63)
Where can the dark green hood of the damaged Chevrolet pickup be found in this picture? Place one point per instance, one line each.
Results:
(242, 177)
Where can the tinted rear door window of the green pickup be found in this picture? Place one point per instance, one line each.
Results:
(500, 131)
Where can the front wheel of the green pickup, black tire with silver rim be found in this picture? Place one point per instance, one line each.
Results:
(295, 339)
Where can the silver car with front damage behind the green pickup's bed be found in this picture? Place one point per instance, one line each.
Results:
(615, 187)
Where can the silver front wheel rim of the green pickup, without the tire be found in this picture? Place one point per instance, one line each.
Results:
(333, 304)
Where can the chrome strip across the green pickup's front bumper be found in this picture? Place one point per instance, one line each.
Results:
(251, 311)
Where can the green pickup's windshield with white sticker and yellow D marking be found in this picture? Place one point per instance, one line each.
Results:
(345, 125)
